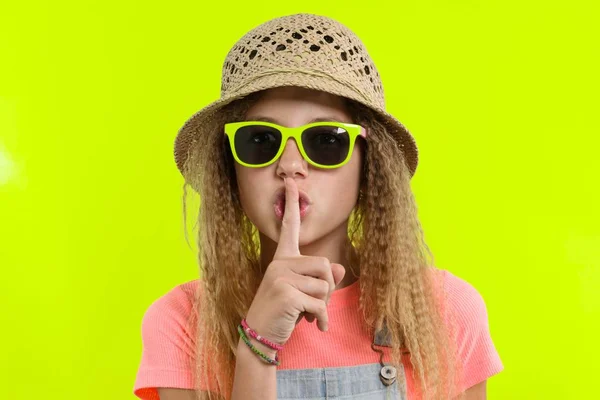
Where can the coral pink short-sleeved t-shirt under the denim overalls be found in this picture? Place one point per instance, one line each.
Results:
(169, 343)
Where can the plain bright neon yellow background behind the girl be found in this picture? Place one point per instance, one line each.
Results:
(502, 97)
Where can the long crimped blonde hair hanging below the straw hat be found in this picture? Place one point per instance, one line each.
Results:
(397, 285)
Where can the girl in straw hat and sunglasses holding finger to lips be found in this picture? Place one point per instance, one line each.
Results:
(316, 282)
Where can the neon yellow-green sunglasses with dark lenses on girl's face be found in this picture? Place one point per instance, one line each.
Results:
(257, 144)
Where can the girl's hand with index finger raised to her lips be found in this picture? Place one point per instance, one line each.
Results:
(293, 285)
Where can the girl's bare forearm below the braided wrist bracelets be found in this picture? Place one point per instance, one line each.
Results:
(254, 379)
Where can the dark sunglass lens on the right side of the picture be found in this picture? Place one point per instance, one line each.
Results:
(326, 145)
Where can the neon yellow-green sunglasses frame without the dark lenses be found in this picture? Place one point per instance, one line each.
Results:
(296, 133)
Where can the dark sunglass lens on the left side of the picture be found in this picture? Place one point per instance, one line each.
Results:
(257, 144)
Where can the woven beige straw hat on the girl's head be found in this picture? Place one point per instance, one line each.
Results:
(305, 50)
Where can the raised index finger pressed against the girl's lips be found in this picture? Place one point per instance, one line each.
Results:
(289, 236)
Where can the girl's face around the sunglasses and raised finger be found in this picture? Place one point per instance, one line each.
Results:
(332, 192)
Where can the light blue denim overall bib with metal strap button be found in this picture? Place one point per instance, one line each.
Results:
(379, 381)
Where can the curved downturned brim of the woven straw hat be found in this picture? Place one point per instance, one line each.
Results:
(193, 126)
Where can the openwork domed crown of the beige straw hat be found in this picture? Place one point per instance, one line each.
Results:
(303, 44)
